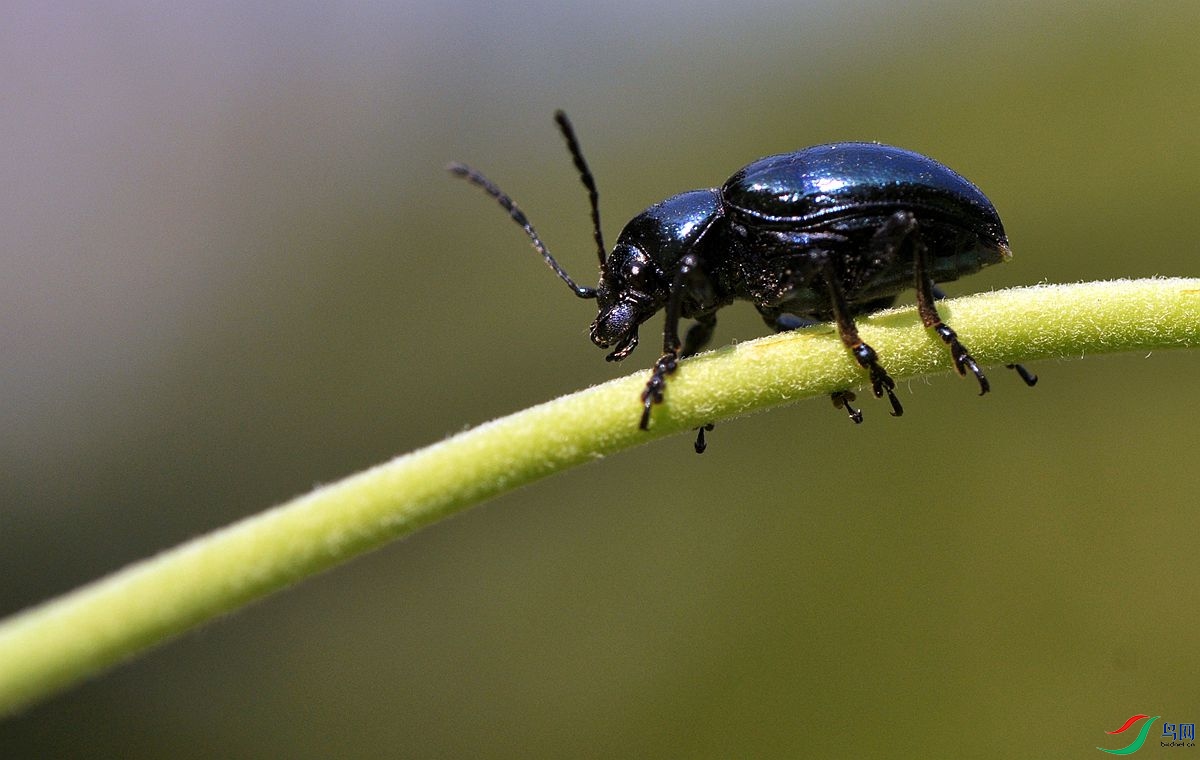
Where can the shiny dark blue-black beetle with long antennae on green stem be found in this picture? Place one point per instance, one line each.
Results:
(825, 234)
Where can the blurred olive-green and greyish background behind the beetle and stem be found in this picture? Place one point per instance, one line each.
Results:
(232, 267)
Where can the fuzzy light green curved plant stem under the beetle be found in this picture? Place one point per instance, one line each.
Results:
(80, 635)
